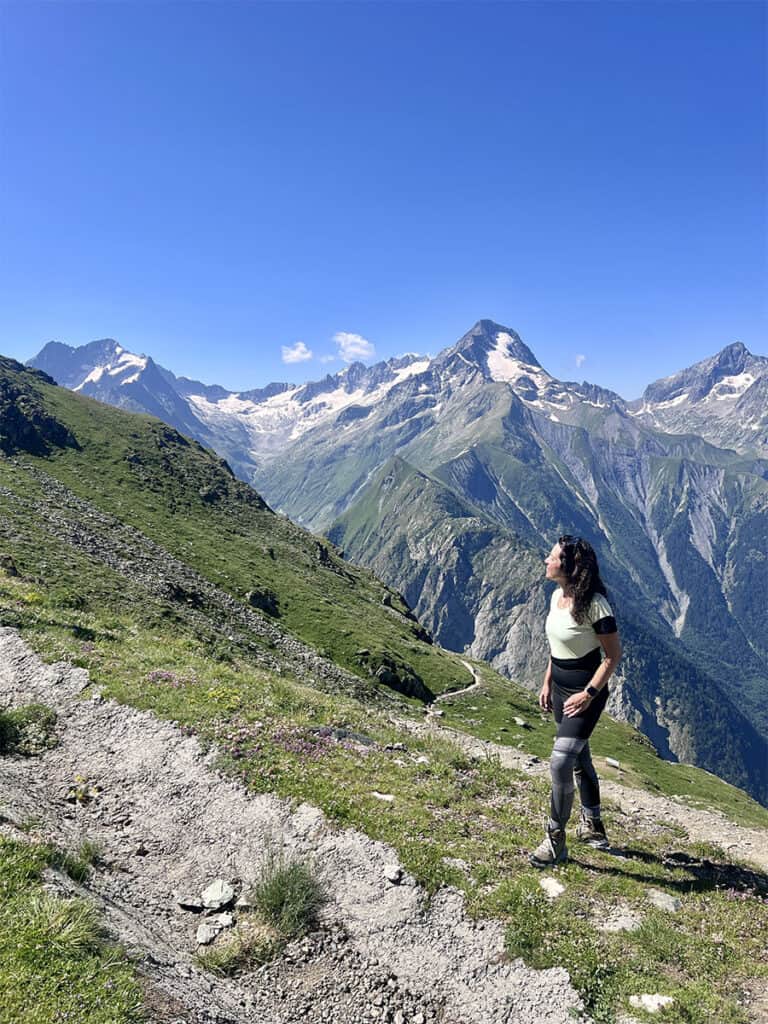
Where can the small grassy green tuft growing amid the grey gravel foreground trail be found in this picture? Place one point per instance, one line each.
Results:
(288, 894)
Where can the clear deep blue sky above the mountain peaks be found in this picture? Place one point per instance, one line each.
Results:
(216, 184)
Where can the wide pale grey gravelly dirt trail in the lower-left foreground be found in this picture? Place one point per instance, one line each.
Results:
(168, 825)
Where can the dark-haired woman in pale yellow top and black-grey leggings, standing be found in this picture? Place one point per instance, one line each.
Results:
(585, 652)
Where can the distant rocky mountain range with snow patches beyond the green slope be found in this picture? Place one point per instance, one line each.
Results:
(451, 477)
